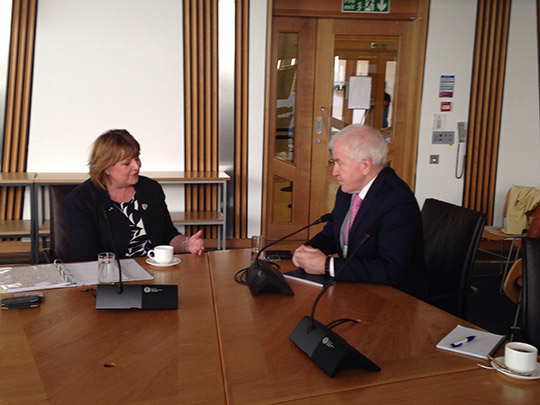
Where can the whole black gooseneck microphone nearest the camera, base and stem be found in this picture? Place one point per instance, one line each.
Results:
(322, 345)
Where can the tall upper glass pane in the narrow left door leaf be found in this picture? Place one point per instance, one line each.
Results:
(286, 91)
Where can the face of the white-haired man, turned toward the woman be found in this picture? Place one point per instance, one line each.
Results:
(351, 175)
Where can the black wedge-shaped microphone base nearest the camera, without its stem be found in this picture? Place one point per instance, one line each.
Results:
(327, 349)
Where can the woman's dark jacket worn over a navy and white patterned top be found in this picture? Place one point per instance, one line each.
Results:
(87, 227)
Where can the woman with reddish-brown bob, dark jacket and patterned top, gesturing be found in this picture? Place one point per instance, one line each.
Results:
(116, 210)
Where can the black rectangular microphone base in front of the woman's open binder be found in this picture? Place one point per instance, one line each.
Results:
(137, 296)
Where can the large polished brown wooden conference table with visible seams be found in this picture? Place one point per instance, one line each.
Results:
(225, 346)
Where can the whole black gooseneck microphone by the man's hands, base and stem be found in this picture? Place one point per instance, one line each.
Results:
(262, 276)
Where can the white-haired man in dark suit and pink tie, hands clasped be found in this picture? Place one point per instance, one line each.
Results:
(385, 208)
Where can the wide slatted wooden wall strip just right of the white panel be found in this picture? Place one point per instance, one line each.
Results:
(201, 102)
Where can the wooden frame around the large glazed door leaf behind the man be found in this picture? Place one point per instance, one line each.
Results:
(405, 119)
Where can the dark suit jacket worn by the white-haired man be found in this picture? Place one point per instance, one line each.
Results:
(393, 255)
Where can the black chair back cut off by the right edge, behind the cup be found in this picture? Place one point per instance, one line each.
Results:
(530, 300)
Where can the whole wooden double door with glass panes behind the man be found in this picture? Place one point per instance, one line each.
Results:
(327, 74)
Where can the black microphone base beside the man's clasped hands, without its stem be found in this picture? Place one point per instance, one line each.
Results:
(263, 277)
